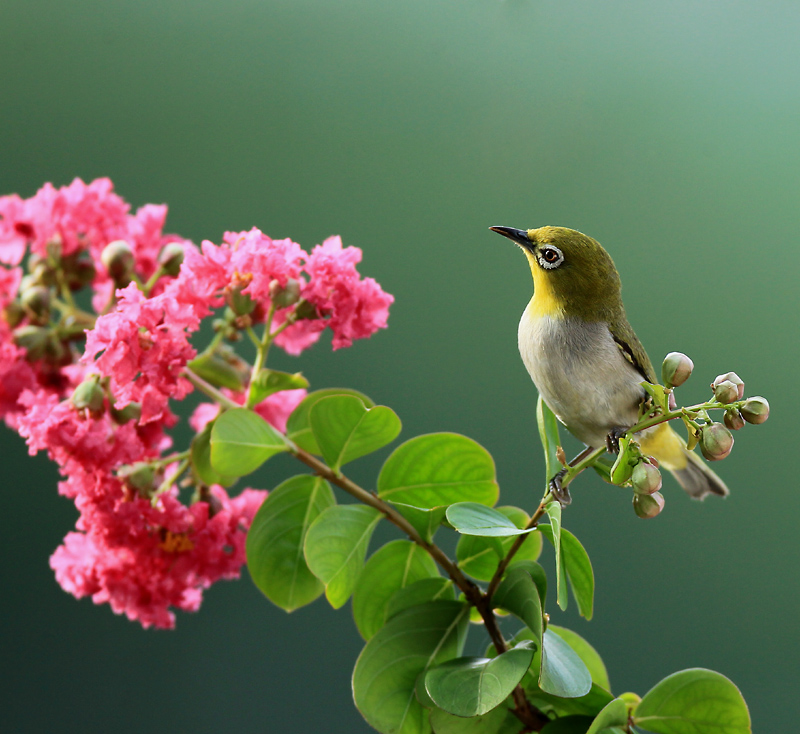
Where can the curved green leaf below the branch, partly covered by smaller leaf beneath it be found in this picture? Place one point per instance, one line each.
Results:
(390, 568)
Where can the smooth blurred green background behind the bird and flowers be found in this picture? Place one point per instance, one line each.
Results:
(668, 131)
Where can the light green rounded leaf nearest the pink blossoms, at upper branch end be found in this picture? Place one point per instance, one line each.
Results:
(241, 441)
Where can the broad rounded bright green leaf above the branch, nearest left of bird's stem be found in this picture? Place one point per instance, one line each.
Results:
(439, 469)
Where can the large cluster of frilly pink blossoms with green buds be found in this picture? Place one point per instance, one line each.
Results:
(137, 546)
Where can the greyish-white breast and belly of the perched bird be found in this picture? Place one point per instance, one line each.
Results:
(581, 373)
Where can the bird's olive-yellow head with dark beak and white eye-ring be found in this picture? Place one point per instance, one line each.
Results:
(572, 274)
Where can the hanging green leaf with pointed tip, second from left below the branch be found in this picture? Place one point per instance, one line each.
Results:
(335, 548)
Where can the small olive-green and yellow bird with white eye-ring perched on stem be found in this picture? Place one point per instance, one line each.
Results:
(585, 358)
